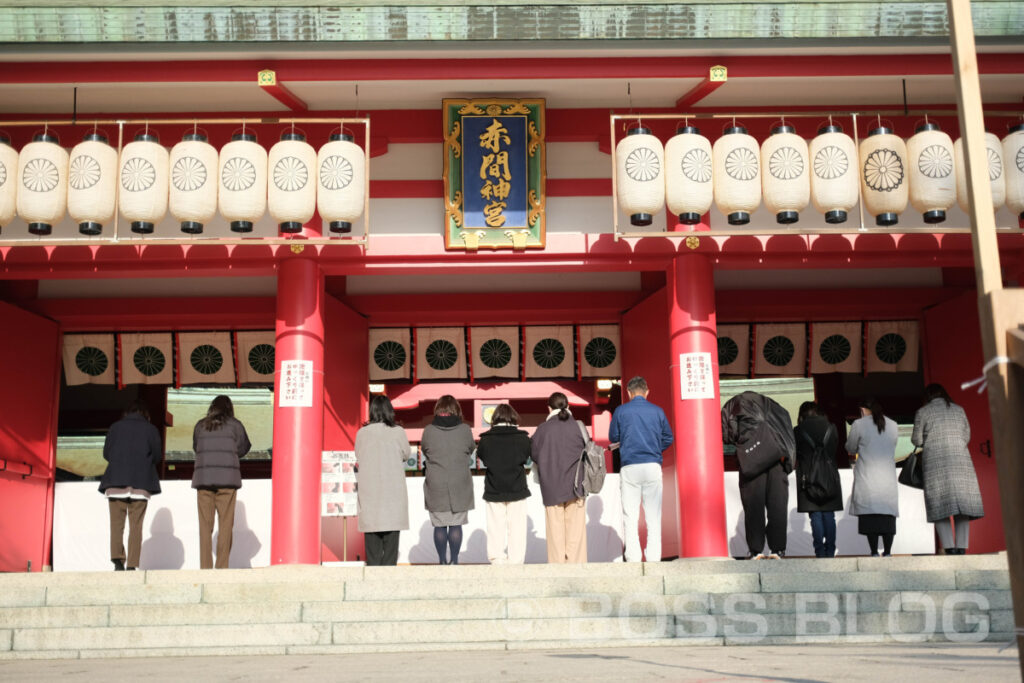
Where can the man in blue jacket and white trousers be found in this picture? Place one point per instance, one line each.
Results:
(643, 433)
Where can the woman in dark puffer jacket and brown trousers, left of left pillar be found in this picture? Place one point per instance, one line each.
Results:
(220, 441)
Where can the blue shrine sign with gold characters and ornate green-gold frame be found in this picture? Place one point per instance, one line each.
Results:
(494, 174)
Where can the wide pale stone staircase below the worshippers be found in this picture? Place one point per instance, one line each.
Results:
(314, 610)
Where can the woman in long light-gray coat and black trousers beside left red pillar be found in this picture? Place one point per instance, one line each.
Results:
(381, 451)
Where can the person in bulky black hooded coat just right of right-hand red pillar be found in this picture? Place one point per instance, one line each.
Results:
(756, 424)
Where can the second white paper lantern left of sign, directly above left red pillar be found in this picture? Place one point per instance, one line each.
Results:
(291, 194)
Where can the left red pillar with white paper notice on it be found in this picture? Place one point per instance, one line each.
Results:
(298, 414)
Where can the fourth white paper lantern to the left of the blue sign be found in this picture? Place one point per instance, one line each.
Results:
(193, 199)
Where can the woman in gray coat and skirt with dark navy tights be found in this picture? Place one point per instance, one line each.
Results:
(448, 492)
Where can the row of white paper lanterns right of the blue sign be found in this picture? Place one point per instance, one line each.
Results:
(789, 175)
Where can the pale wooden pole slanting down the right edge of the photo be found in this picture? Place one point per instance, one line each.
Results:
(1002, 312)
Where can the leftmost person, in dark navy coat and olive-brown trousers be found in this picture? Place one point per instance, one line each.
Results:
(133, 451)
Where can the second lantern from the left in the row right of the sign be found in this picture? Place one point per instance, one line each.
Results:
(689, 190)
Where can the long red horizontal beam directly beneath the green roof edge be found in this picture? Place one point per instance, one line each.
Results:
(498, 69)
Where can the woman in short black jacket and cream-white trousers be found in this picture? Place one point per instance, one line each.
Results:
(504, 451)
